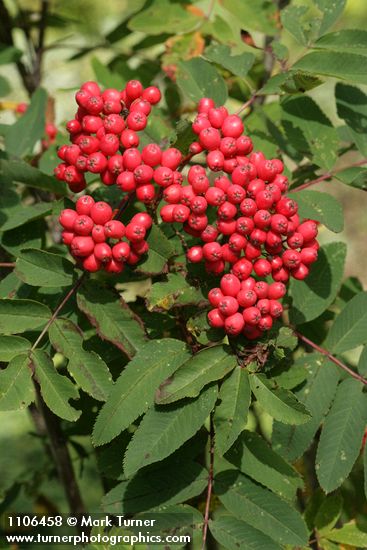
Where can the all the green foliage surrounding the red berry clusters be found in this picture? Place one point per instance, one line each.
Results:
(289, 469)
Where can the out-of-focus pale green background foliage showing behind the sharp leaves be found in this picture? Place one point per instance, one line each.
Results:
(87, 40)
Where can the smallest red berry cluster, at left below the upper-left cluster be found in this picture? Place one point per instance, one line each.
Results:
(101, 242)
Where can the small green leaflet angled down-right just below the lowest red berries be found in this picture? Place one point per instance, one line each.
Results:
(281, 404)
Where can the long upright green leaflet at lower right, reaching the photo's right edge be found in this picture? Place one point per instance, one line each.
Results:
(341, 436)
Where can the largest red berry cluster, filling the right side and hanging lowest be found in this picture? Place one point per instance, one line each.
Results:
(256, 228)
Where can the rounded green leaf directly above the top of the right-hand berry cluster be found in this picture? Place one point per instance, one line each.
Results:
(197, 78)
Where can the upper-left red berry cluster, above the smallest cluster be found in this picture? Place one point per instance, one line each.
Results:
(104, 136)
